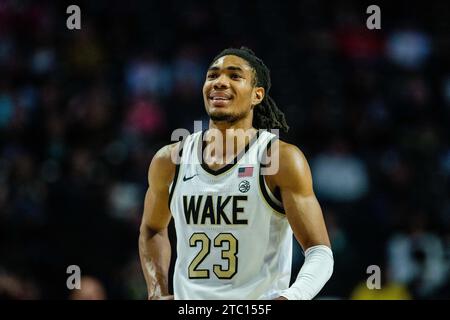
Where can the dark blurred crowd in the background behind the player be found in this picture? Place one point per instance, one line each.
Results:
(82, 112)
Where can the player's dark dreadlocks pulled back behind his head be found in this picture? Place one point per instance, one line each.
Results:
(266, 115)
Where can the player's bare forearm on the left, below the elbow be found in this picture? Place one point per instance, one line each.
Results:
(155, 251)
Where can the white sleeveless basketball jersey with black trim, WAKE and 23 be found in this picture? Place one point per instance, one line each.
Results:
(233, 239)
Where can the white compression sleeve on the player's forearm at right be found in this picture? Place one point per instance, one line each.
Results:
(313, 275)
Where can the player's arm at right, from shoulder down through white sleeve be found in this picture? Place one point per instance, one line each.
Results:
(302, 208)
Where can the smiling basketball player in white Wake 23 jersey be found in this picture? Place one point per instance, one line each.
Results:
(233, 223)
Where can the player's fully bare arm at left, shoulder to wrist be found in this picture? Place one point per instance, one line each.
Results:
(154, 245)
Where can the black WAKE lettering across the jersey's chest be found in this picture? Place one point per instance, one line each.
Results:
(219, 214)
